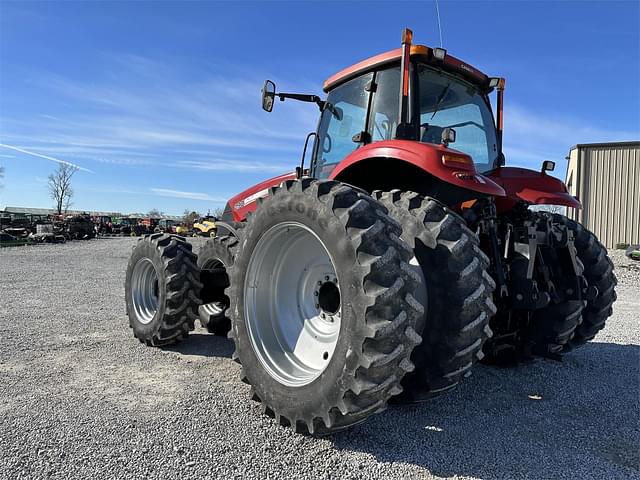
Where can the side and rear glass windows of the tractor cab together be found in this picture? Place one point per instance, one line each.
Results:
(443, 101)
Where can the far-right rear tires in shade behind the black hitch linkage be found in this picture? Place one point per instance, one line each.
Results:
(566, 322)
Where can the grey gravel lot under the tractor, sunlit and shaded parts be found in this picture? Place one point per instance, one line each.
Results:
(81, 398)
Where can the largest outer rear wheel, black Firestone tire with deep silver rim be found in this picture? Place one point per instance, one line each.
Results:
(323, 310)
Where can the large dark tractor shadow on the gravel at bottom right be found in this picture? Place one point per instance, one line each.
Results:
(585, 425)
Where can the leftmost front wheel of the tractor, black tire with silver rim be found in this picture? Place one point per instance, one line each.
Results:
(162, 289)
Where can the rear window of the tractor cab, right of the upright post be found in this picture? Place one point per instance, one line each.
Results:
(445, 101)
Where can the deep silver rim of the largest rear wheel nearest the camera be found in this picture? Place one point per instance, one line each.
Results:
(292, 304)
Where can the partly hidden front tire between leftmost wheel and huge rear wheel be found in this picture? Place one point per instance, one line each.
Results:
(215, 259)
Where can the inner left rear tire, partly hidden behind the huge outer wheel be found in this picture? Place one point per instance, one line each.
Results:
(459, 293)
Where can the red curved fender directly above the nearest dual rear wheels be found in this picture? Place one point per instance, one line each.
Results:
(428, 157)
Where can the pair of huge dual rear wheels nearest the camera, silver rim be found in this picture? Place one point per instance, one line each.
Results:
(338, 296)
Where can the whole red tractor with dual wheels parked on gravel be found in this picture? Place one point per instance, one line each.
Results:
(403, 255)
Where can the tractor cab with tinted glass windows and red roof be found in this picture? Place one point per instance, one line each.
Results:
(444, 107)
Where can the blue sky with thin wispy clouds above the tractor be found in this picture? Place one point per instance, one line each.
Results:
(159, 102)
